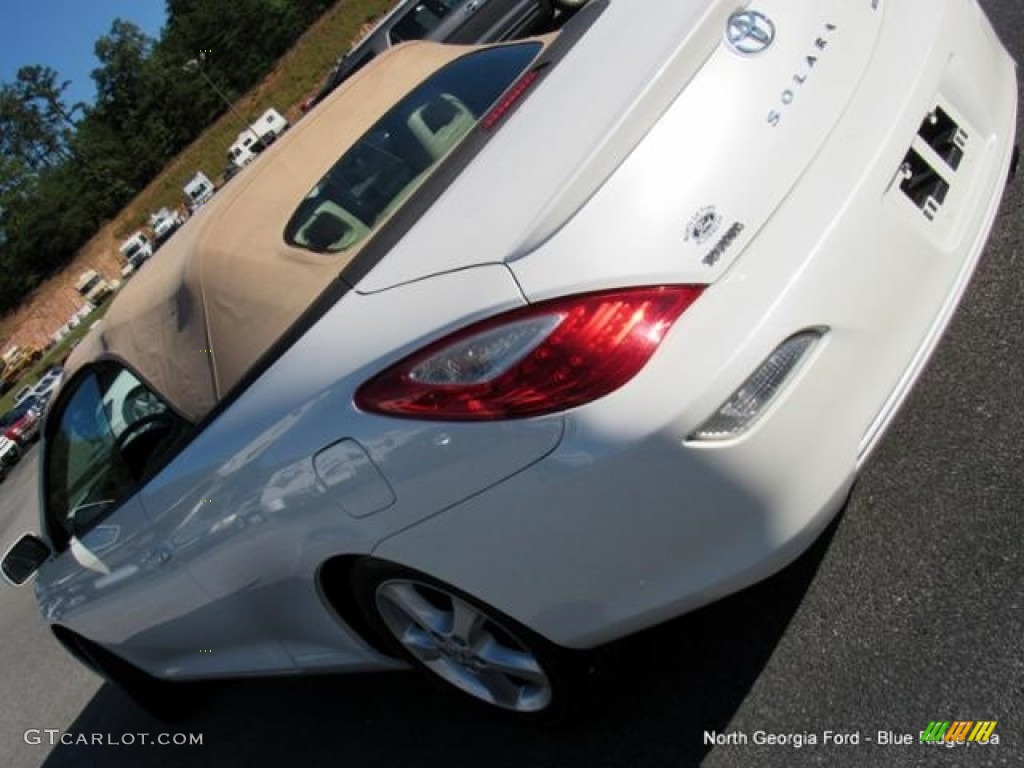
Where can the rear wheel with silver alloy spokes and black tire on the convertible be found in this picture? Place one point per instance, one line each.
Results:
(466, 646)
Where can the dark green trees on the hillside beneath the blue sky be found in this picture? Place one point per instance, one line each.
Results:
(66, 169)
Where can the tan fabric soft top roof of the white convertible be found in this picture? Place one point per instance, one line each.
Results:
(228, 286)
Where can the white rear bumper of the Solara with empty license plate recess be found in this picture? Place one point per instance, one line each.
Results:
(629, 523)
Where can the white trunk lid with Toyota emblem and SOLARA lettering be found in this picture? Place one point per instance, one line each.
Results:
(661, 163)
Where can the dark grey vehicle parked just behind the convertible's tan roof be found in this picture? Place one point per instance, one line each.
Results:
(462, 22)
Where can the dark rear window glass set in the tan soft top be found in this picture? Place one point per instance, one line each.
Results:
(402, 149)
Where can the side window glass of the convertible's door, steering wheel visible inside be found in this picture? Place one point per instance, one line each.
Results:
(109, 435)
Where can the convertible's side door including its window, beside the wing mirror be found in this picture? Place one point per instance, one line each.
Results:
(113, 579)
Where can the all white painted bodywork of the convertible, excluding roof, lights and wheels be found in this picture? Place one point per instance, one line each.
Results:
(600, 522)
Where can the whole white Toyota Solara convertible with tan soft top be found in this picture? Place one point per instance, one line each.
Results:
(509, 352)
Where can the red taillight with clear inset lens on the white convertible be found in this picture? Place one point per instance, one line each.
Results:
(539, 360)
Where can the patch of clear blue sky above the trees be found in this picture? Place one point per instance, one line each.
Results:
(62, 34)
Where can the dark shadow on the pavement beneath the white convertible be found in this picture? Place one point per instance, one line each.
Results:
(672, 685)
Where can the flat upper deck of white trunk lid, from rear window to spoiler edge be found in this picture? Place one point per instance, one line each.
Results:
(545, 175)
